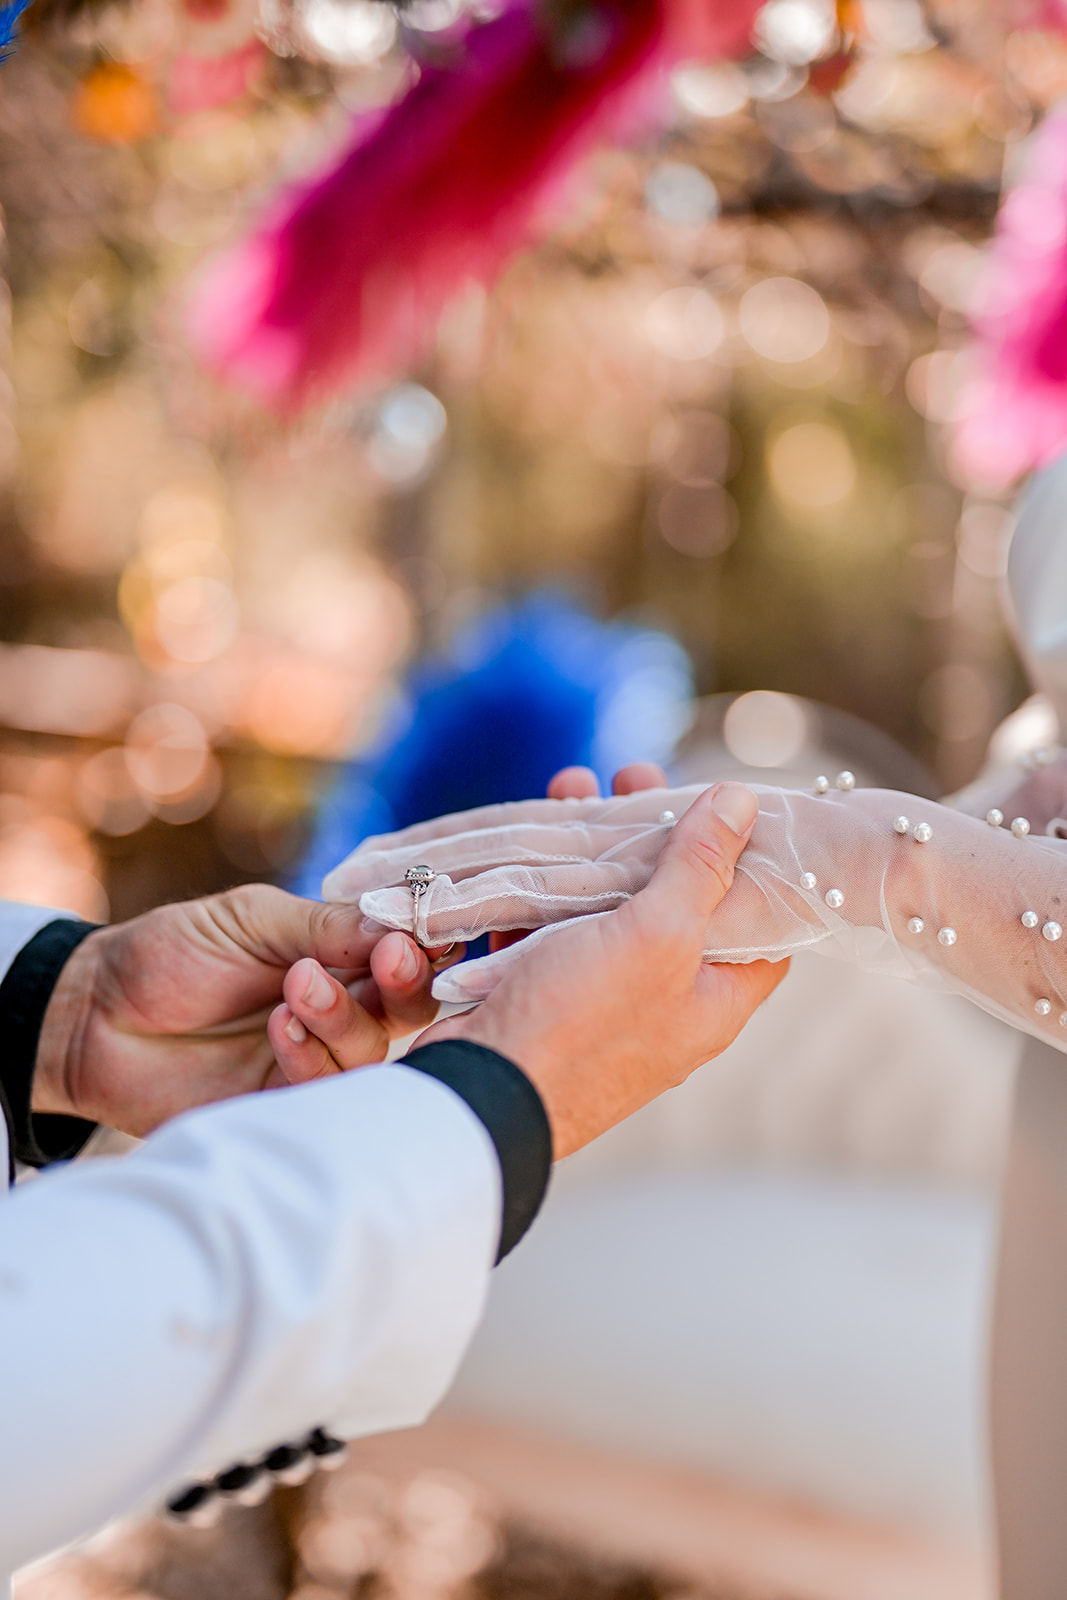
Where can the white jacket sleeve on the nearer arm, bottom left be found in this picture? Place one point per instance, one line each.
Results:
(311, 1257)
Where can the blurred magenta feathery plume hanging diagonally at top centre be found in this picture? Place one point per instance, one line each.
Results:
(345, 279)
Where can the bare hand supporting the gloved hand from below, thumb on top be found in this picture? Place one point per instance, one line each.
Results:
(618, 1009)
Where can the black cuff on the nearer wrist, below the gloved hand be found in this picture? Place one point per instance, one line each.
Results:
(505, 1100)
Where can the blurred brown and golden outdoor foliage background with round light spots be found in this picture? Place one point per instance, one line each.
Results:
(709, 398)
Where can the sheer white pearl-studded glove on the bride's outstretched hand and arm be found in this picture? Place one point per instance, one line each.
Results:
(882, 879)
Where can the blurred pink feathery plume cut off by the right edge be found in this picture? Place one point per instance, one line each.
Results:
(1013, 407)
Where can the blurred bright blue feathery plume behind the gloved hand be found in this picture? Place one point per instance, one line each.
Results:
(526, 690)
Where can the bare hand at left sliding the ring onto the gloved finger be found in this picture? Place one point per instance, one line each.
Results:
(170, 1010)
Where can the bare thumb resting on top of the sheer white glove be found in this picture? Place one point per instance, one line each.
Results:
(697, 866)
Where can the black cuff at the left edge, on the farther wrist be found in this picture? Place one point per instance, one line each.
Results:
(25, 994)
